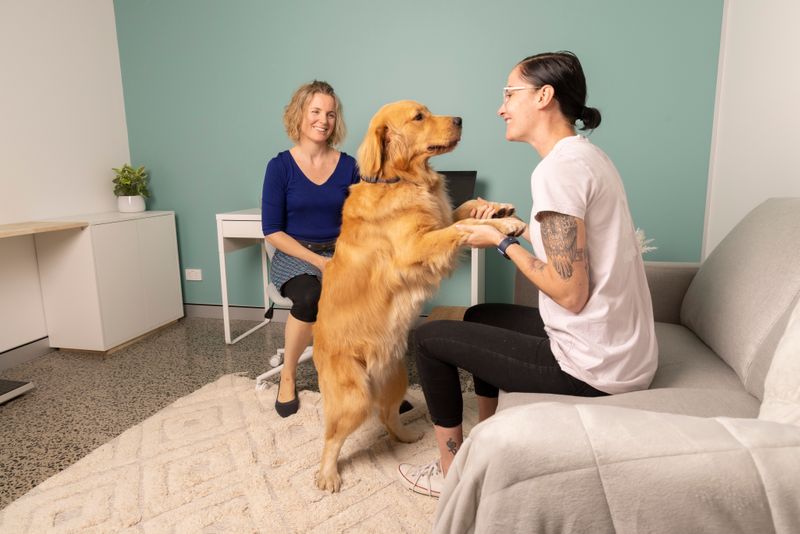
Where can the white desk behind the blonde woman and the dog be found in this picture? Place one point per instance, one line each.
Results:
(240, 229)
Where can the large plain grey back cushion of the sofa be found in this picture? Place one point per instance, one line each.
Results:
(739, 300)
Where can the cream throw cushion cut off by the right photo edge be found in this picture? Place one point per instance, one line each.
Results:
(782, 386)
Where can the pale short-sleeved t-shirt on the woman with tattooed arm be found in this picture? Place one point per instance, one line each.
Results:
(611, 343)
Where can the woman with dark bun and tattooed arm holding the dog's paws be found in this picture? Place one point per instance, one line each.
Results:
(593, 332)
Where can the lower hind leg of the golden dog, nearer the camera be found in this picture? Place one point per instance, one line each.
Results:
(344, 413)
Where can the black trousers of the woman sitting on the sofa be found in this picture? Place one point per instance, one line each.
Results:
(504, 346)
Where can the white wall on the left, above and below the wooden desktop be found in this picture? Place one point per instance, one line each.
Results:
(62, 128)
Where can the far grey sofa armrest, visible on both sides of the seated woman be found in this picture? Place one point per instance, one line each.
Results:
(668, 284)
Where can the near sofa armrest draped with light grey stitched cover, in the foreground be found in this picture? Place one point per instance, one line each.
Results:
(576, 468)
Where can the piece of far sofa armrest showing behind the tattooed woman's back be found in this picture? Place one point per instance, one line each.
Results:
(668, 284)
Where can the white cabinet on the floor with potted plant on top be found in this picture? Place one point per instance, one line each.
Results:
(110, 282)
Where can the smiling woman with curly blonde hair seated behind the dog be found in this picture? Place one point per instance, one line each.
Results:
(301, 214)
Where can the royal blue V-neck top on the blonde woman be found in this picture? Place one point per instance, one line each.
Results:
(292, 203)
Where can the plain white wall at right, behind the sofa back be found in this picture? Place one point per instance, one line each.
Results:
(756, 136)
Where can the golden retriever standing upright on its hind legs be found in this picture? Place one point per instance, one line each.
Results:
(397, 242)
